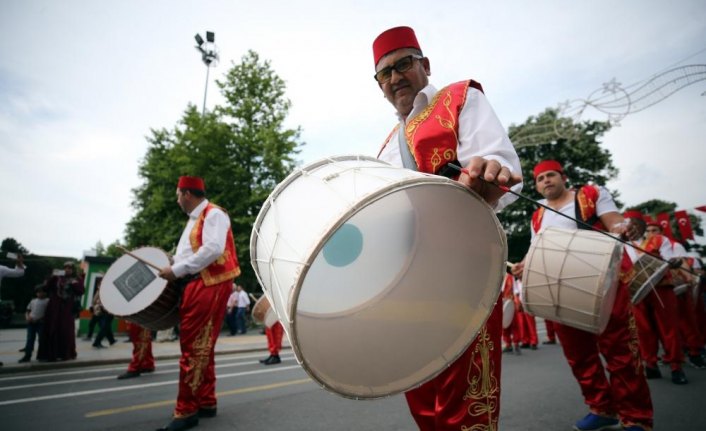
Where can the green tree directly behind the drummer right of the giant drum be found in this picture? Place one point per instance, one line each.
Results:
(575, 145)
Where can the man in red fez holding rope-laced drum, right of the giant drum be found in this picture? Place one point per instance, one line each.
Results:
(625, 397)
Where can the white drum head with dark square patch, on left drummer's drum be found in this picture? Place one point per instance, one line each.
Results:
(130, 286)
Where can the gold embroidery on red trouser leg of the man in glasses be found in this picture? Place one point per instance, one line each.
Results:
(483, 389)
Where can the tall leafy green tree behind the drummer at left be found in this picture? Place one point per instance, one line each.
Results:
(241, 149)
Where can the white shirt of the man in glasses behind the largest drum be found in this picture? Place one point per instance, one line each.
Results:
(480, 133)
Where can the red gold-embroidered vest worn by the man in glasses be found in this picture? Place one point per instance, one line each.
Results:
(432, 135)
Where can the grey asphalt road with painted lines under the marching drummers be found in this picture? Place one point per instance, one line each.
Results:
(538, 395)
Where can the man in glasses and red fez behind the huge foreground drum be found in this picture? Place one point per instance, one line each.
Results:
(435, 127)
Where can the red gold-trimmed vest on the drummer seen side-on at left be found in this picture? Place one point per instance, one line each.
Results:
(224, 268)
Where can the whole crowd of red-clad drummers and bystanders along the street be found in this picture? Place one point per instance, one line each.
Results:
(434, 128)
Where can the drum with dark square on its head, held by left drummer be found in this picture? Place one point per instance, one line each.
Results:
(133, 291)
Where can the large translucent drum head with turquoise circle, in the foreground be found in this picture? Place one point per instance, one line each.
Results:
(398, 289)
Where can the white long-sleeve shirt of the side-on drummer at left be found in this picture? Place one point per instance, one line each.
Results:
(215, 231)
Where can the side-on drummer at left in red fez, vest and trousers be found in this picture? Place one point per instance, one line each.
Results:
(205, 263)
